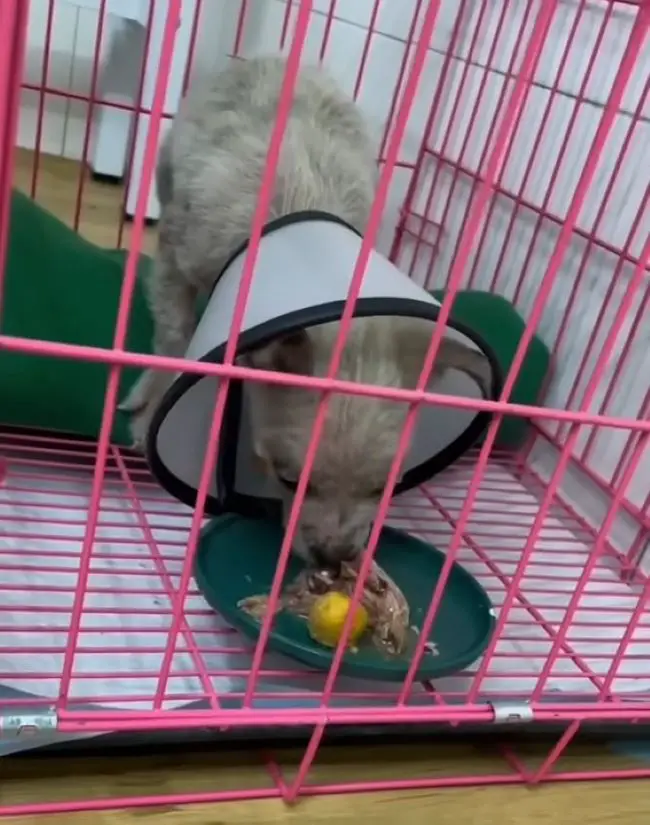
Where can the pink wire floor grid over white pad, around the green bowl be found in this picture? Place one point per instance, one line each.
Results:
(137, 559)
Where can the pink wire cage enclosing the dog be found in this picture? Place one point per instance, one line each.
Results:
(512, 160)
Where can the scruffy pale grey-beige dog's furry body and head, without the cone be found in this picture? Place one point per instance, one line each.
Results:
(208, 179)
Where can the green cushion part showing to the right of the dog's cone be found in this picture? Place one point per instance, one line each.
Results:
(499, 324)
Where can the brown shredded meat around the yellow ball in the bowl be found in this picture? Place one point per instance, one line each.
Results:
(388, 611)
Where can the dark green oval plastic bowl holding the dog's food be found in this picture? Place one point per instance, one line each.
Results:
(237, 556)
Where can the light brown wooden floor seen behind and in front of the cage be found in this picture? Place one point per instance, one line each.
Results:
(55, 780)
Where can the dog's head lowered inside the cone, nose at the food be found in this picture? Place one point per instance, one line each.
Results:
(360, 434)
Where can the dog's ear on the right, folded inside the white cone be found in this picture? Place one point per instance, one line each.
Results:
(412, 342)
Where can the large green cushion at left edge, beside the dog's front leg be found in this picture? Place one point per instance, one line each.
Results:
(59, 287)
